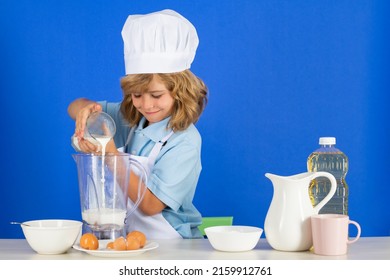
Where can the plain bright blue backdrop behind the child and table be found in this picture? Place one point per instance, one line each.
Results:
(281, 74)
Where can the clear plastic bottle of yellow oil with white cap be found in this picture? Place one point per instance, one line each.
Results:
(329, 159)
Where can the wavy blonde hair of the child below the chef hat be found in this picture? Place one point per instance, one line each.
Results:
(188, 91)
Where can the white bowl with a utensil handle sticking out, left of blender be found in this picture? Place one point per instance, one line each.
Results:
(51, 236)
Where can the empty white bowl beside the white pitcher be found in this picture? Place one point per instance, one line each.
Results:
(233, 238)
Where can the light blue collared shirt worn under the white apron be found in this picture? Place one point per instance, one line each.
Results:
(176, 171)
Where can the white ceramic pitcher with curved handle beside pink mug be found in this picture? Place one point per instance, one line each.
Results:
(287, 225)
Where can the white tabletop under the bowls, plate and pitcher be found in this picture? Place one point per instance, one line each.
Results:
(366, 248)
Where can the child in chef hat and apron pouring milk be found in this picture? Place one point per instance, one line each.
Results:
(162, 100)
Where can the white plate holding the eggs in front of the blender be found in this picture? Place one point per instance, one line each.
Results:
(107, 253)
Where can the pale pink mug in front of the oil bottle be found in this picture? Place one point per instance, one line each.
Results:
(330, 234)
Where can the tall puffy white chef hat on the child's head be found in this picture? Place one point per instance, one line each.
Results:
(160, 42)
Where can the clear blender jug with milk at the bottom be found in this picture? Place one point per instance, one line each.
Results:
(103, 184)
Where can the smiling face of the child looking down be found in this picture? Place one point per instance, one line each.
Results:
(156, 103)
